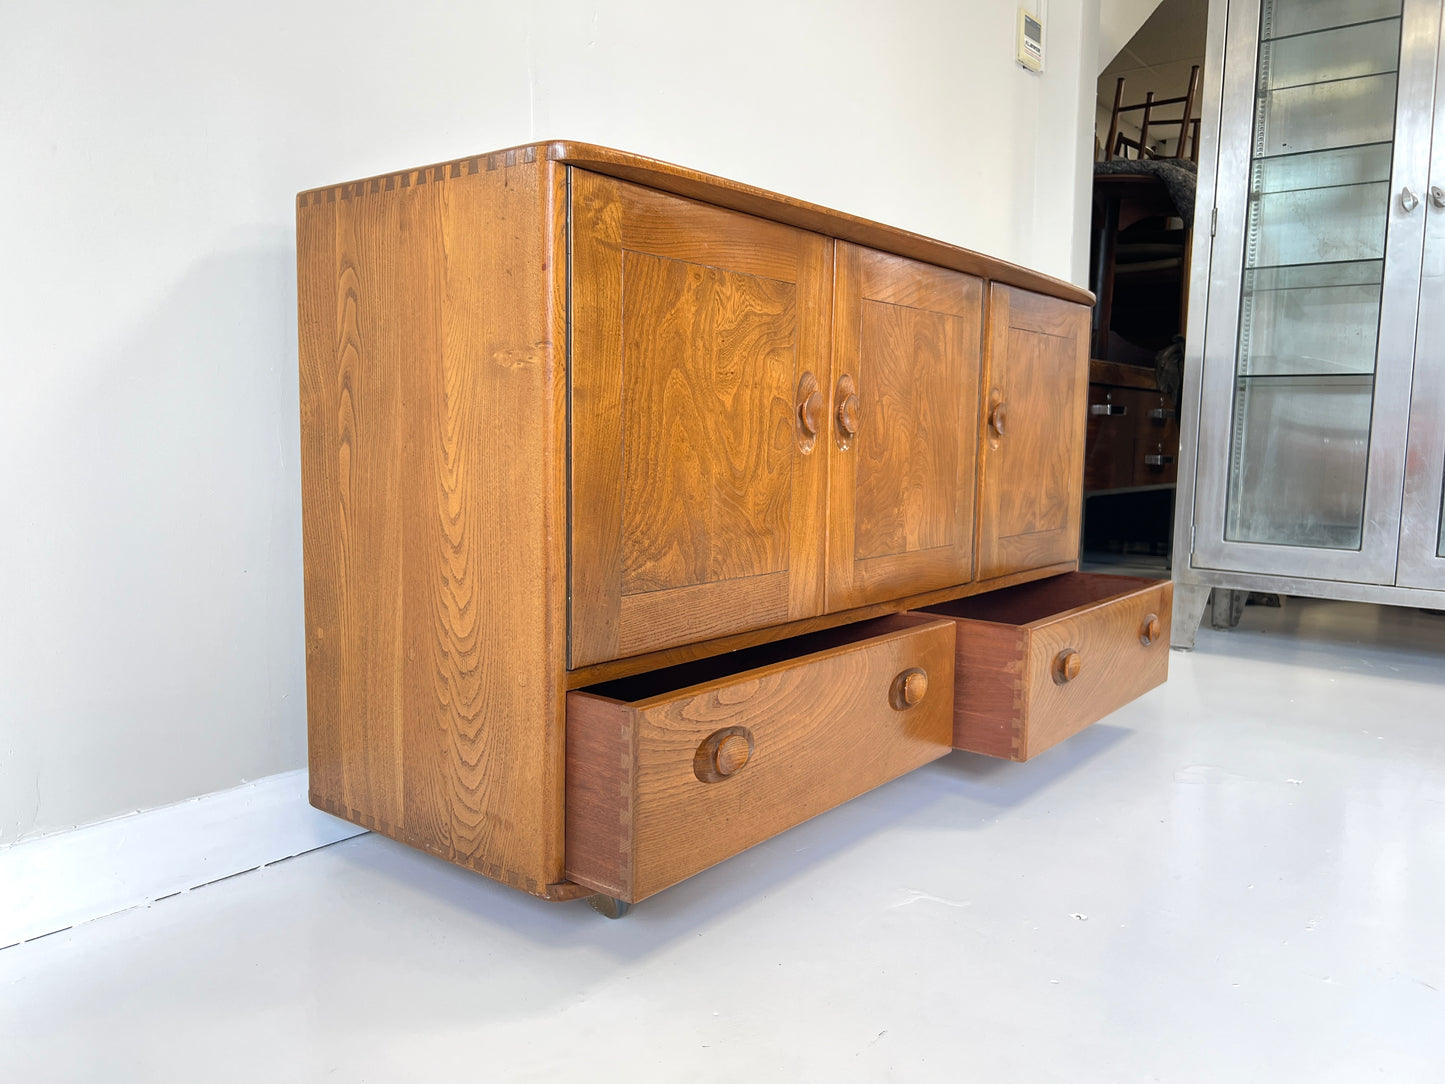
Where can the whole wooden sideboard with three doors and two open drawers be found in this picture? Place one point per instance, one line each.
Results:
(648, 514)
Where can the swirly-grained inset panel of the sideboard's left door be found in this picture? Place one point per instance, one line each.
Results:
(709, 443)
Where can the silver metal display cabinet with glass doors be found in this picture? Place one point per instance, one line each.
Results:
(1314, 404)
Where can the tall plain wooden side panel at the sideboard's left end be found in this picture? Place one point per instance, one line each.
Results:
(433, 481)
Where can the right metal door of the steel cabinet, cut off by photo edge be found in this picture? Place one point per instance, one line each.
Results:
(1423, 522)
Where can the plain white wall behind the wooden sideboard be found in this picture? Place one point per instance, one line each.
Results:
(151, 644)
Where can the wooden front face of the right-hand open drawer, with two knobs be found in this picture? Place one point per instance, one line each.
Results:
(1115, 664)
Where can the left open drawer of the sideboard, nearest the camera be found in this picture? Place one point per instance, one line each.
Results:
(674, 771)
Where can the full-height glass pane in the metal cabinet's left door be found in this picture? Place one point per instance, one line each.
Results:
(1314, 264)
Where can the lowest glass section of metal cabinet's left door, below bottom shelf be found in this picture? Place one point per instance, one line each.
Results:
(1301, 446)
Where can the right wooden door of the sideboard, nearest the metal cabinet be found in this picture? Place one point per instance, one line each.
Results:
(1031, 491)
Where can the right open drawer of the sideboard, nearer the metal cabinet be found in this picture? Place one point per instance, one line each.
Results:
(1041, 661)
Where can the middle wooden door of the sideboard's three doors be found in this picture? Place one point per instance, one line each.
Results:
(902, 429)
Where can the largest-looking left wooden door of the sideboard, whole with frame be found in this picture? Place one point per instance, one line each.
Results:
(696, 494)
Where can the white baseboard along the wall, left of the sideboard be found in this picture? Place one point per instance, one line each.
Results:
(61, 881)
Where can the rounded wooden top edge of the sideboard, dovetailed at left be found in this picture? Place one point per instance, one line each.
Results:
(723, 193)
